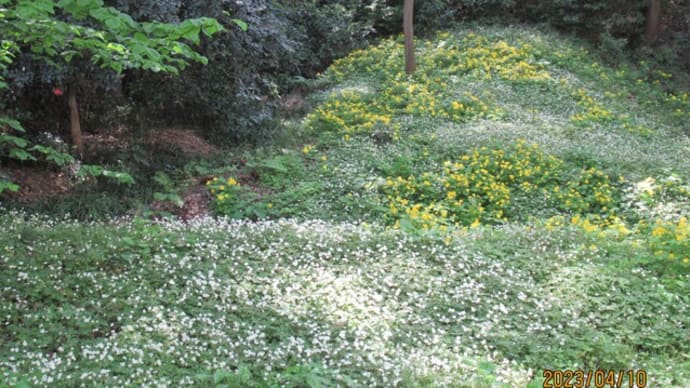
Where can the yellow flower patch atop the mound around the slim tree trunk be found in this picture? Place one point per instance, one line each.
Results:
(427, 92)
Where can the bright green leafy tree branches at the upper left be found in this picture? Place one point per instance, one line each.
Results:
(58, 32)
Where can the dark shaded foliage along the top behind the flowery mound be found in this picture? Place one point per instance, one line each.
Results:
(234, 98)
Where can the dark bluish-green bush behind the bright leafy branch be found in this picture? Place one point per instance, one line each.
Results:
(233, 96)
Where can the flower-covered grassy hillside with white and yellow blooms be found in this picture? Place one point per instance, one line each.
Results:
(514, 206)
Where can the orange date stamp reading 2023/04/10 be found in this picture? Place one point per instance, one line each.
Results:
(555, 378)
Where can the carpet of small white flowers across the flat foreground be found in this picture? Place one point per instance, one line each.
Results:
(365, 306)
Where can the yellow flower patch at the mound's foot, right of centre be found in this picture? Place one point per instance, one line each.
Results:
(478, 187)
